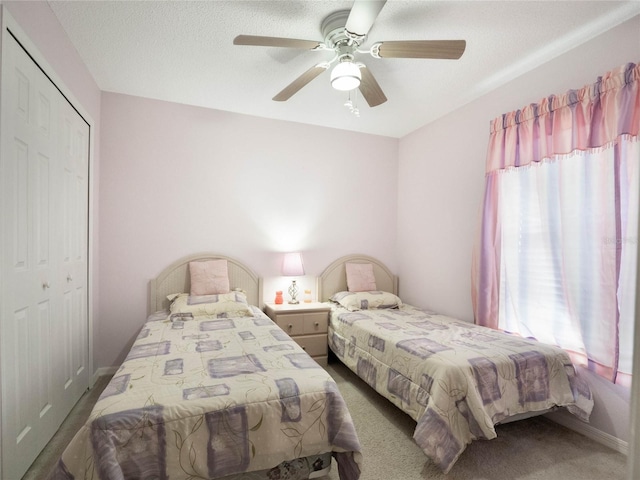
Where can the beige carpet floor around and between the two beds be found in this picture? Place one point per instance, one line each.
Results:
(534, 449)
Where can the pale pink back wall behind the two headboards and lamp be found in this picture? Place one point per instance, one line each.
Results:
(177, 180)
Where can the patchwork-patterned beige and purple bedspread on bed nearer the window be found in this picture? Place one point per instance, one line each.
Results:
(456, 379)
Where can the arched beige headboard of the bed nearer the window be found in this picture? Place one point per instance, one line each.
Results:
(334, 277)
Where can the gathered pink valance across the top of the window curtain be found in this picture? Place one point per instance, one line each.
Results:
(578, 120)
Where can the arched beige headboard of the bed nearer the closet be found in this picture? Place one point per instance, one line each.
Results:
(176, 279)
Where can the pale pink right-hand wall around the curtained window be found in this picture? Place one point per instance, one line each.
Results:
(441, 184)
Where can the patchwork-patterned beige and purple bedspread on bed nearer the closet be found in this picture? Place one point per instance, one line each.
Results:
(212, 397)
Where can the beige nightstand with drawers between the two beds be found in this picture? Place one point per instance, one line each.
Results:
(306, 323)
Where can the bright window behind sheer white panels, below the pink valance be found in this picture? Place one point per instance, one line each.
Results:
(568, 252)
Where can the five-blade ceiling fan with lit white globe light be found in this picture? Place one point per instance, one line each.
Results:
(344, 31)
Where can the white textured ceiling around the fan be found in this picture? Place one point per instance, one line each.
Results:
(182, 51)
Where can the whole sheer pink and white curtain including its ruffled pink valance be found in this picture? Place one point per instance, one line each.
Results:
(556, 256)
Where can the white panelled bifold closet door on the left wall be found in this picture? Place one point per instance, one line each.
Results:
(43, 322)
